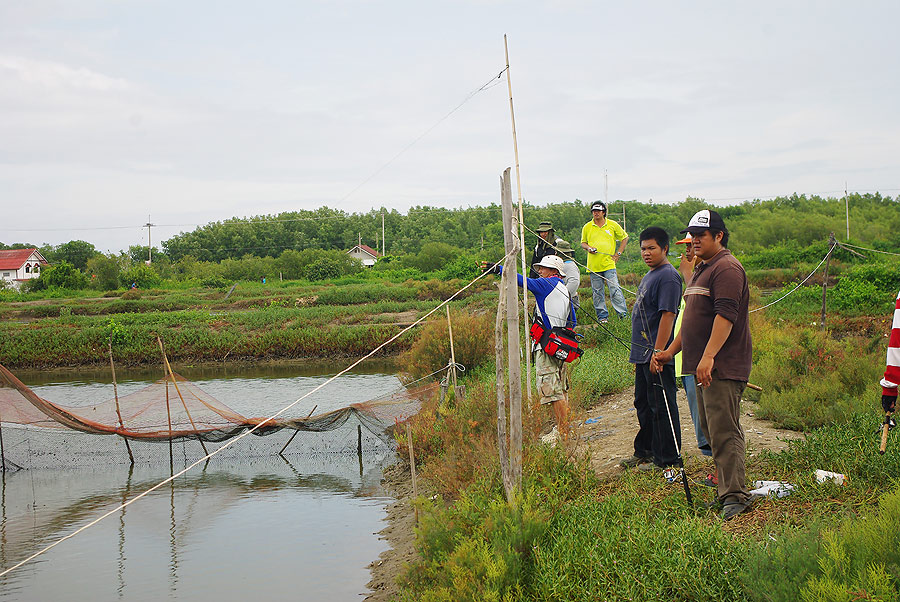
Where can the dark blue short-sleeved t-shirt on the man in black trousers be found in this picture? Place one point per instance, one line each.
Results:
(659, 291)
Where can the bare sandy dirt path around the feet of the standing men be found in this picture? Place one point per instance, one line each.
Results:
(610, 435)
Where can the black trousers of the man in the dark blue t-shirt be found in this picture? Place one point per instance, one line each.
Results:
(654, 438)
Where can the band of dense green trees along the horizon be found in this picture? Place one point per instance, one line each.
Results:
(312, 244)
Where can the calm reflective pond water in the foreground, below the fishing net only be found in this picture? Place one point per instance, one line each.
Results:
(277, 527)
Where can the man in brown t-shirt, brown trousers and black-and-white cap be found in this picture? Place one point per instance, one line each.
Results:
(716, 347)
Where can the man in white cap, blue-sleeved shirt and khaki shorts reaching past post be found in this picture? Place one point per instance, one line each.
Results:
(555, 309)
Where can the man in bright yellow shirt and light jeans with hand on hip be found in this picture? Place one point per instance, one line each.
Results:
(599, 238)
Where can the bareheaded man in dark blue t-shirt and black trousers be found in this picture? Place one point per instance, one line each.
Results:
(652, 322)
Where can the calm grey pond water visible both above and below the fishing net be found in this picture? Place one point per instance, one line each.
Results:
(298, 527)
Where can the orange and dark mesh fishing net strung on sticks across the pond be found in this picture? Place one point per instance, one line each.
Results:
(173, 420)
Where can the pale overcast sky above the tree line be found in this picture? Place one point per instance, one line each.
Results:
(114, 112)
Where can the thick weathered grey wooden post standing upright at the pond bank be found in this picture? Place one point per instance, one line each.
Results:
(513, 342)
